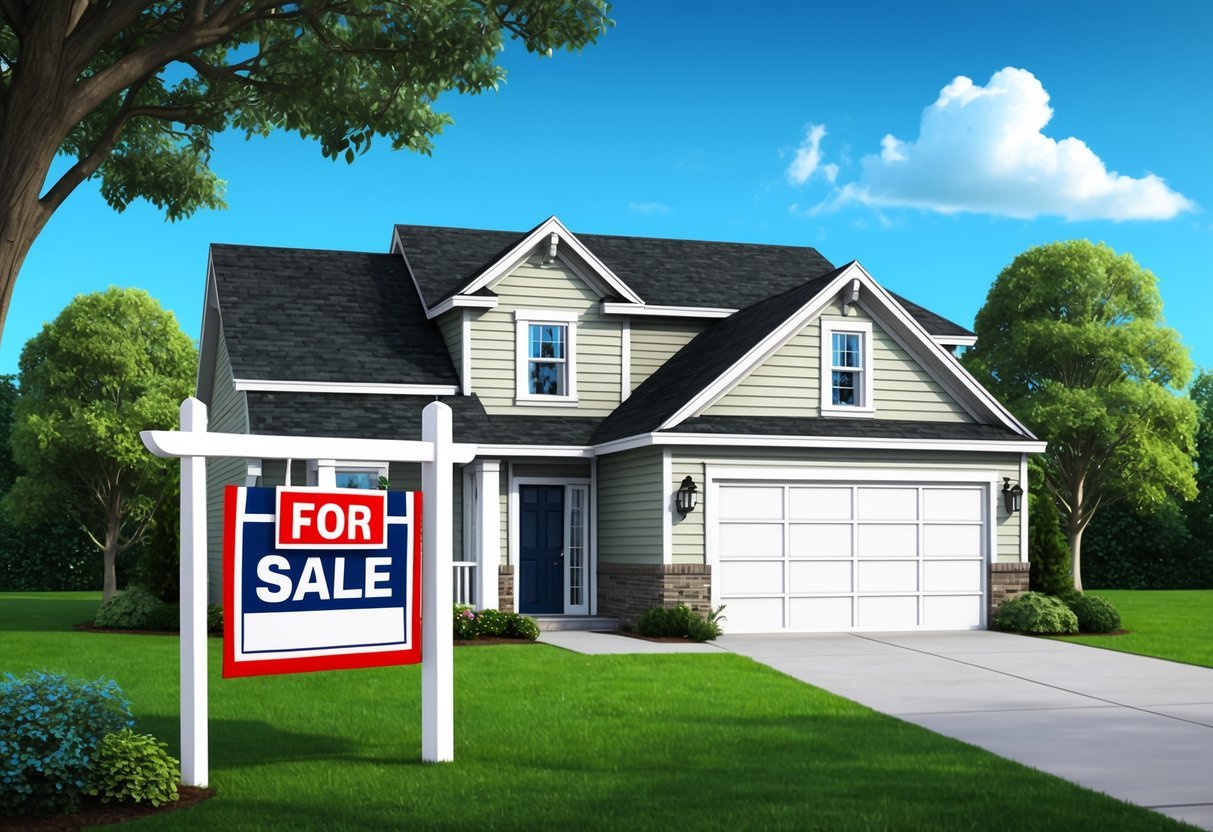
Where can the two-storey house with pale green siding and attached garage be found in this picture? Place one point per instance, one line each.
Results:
(847, 472)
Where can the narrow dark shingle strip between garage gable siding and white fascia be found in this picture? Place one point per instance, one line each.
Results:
(873, 429)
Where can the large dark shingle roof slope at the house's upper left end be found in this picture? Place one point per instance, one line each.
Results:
(326, 316)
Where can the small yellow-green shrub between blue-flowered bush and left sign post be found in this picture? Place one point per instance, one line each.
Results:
(135, 768)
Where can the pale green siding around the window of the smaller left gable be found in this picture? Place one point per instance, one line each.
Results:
(597, 352)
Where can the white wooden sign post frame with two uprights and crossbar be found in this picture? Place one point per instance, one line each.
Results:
(436, 453)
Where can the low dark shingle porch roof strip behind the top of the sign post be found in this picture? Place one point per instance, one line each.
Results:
(400, 418)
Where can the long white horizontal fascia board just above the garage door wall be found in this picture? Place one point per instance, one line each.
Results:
(857, 443)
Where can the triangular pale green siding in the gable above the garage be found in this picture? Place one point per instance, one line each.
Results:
(789, 383)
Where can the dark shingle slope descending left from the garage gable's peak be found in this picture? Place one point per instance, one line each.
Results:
(703, 361)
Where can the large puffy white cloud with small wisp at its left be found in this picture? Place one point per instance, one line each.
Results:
(982, 150)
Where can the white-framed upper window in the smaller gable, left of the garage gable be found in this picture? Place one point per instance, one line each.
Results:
(546, 373)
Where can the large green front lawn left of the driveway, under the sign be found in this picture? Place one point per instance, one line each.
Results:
(548, 739)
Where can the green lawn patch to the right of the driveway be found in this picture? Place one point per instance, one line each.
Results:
(1169, 624)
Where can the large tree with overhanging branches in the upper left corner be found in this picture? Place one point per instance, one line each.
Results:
(135, 90)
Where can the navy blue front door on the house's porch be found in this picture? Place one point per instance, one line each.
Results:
(542, 549)
